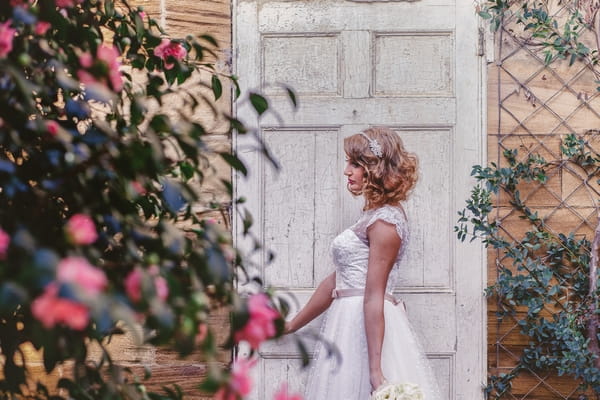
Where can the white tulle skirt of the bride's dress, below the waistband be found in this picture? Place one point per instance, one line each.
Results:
(345, 375)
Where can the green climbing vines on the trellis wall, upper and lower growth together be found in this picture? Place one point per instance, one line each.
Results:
(547, 281)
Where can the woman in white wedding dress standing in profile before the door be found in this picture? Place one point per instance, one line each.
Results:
(364, 321)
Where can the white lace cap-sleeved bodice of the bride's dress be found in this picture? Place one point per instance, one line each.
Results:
(350, 249)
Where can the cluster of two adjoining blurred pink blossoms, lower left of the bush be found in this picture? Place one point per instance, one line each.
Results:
(51, 309)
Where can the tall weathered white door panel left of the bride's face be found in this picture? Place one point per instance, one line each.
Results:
(300, 202)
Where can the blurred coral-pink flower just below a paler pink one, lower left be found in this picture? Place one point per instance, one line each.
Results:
(50, 310)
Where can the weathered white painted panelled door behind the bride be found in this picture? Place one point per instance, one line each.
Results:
(409, 65)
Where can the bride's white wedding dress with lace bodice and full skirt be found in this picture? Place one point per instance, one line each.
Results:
(402, 361)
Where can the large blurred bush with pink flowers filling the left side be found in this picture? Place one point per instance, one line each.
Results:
(93, 199)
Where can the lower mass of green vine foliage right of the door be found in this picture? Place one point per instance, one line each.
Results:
(543, 277)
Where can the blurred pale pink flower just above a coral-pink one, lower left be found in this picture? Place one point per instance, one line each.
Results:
(79, 271)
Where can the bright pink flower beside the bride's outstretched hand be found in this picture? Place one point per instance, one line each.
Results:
(260, 325)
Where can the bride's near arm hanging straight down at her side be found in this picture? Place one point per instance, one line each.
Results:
(384, 244)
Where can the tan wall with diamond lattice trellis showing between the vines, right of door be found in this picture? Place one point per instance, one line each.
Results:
(531, 107)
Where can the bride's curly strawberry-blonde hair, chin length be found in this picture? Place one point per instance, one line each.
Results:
(389, 178)
